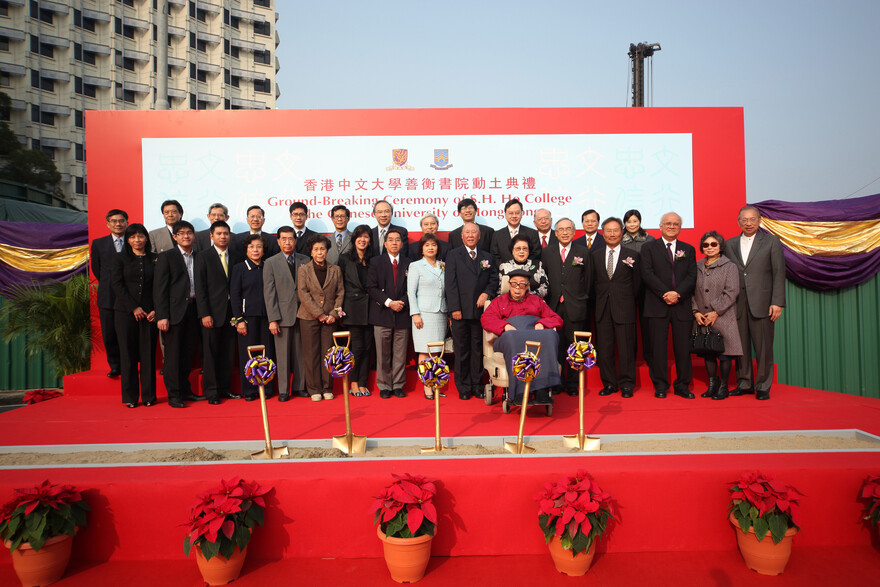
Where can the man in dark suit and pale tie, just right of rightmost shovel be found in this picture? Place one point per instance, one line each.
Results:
(615, 280)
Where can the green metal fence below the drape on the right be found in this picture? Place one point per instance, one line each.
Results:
(831, 340)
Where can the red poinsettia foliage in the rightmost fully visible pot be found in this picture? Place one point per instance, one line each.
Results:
(766, 504)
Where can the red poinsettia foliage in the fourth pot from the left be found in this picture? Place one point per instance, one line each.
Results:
(576, 510)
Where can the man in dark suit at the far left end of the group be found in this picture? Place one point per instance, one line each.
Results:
(103, 250)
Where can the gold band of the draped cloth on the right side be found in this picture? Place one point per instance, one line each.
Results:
(826, 239)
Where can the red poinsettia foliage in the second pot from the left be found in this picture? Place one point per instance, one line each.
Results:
(224, 518)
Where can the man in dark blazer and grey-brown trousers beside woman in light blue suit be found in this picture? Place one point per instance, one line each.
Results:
(389, 314)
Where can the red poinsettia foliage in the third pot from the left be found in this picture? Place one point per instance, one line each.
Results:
(405, 508)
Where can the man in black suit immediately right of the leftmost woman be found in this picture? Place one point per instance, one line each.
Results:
(174, 295)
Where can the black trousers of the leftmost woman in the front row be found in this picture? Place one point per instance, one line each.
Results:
(137, 348)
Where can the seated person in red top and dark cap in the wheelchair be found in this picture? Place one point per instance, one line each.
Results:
(519, 316)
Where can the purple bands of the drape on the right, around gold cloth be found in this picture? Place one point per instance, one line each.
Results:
(827, 273)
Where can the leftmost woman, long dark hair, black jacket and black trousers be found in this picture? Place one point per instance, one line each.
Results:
(135, 317)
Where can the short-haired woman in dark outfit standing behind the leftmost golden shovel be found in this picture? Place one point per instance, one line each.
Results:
(249, 308)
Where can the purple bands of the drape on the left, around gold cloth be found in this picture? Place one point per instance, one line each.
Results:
(39, 235)
